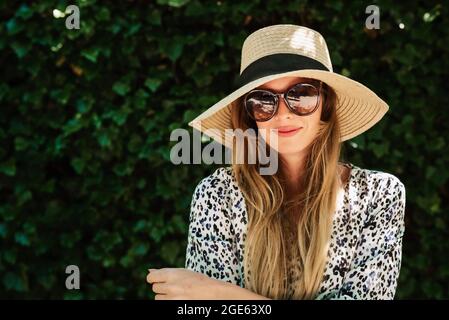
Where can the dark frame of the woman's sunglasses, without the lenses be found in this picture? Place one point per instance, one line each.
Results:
(284, 96)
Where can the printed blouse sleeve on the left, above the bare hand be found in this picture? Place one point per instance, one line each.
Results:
(211, 247)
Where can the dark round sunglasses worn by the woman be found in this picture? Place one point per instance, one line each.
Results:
(302, 99)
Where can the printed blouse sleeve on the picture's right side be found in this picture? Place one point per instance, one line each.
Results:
(375, 267)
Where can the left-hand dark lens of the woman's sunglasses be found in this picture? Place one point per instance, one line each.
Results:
(260, 105)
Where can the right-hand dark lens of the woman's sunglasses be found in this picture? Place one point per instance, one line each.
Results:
(303, 98)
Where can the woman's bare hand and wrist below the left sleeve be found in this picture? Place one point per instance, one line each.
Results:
(184, 284)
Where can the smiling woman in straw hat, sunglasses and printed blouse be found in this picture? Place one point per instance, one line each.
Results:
(317, 228)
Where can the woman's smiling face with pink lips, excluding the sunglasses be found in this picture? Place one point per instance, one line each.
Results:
(307, 127)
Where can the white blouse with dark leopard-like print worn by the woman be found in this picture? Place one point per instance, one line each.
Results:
(364, 256)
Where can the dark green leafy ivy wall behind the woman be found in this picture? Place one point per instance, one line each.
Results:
(86, 115)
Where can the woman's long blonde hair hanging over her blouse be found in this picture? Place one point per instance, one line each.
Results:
(270, 205)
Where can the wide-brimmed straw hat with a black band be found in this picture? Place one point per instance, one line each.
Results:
(290, 50)
